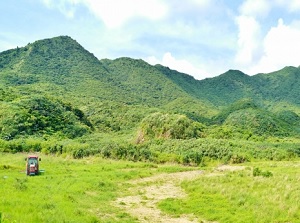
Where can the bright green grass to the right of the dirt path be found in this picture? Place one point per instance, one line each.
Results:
(241, 197)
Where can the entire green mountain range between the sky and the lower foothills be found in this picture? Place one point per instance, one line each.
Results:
(62, 61)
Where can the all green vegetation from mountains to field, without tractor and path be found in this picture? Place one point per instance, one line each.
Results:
(83, 114)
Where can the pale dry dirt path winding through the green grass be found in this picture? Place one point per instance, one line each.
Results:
(149, 191)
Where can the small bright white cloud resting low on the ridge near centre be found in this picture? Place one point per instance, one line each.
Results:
(180, 65)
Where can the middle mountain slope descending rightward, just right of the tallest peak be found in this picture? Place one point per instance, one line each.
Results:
(147, 85)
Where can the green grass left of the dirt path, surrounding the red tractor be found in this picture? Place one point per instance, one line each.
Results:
(69, 190)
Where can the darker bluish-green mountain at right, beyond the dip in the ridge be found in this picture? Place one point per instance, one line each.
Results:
(282, 85)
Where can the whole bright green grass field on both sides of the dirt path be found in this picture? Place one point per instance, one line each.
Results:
(86, 190)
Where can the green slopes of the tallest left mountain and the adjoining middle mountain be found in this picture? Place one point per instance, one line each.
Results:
(61, 61)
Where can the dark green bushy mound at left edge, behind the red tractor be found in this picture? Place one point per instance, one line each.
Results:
(41, 116)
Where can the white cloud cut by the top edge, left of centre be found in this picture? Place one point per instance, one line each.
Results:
(113, 13)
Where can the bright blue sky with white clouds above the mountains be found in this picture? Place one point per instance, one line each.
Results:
(203, 38)
